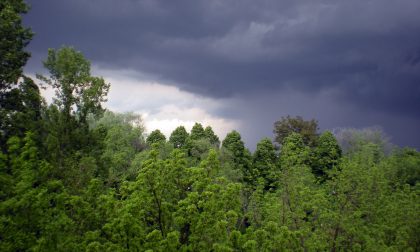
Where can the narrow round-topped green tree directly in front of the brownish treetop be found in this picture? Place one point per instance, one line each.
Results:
(301, 200)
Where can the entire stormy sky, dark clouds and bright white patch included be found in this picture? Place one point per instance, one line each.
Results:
(244, 64)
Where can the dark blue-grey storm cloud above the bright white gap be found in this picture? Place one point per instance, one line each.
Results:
(367, 52)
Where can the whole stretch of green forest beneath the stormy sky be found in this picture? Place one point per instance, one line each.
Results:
(77, 177)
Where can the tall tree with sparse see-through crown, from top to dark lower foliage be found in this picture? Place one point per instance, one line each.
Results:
(78, 94)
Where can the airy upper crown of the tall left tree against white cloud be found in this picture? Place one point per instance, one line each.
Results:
(77, 92)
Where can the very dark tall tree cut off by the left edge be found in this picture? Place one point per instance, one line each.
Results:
(15, 101)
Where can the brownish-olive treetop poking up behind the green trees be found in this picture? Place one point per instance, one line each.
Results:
(288, 124)
